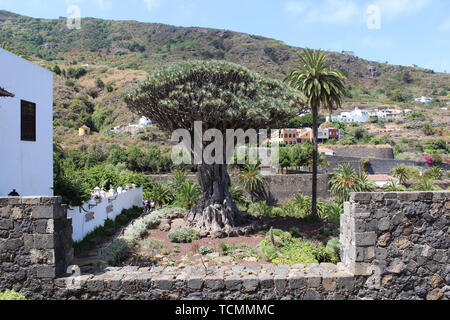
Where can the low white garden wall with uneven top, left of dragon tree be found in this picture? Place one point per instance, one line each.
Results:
(102, 206)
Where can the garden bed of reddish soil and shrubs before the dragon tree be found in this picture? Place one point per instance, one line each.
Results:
(163, 239)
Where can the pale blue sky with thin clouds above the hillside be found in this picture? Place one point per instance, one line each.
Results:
(398, 31)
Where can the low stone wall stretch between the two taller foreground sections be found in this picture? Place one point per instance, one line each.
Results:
(310, 282)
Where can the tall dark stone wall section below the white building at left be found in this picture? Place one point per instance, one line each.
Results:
(35, 243)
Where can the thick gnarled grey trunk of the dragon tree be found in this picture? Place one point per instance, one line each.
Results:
(216, 212)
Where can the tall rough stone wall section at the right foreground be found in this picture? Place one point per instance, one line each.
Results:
(399, 241)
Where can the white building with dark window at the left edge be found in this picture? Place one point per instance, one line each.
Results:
(26, 127)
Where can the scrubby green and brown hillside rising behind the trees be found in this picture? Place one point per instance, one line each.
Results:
(95, 66)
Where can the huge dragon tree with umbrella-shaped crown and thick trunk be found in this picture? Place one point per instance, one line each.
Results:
(222, 96)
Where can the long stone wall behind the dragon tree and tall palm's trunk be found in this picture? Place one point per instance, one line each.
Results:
(282, 188)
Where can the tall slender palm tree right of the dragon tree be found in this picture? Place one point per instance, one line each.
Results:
(322, 87)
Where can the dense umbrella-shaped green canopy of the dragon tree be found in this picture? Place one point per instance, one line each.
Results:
(221, 94)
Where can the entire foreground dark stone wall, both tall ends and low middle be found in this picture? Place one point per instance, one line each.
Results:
(393, 246)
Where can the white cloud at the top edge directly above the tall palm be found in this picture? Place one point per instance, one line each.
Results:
(325, 11)
